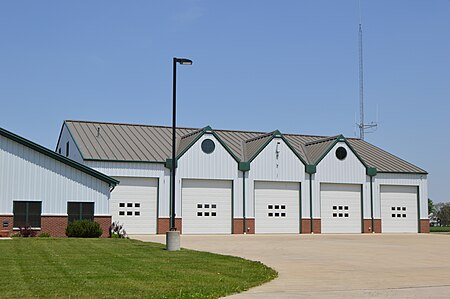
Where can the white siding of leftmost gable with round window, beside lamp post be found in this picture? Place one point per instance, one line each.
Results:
(218, 165)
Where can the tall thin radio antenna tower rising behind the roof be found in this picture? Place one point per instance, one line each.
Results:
(363, 127)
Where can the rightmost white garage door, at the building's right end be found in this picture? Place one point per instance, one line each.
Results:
(399, 209)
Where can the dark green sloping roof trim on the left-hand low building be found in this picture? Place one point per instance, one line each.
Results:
(58, 157)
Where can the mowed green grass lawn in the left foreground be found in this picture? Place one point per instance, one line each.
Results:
(120, 268)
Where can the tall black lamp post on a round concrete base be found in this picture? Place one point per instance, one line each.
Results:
(173, 236)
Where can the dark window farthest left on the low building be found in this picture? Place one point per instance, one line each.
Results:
(27, 213)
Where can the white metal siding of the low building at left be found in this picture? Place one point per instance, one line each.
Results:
(26, 174)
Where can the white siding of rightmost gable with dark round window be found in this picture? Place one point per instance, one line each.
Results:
(332, 170)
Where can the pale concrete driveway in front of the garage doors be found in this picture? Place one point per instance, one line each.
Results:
(339, 266)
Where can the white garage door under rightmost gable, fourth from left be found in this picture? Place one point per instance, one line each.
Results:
(340, 206)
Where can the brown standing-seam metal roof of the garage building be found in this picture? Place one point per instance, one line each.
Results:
(144, 143)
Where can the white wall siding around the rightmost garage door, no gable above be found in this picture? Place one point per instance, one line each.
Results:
(402, 179)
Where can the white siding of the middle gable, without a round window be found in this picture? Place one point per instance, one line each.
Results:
(268, 166)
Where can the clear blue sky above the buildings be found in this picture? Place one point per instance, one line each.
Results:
(258, 65)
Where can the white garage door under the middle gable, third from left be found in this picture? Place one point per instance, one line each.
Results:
(277, 206)
